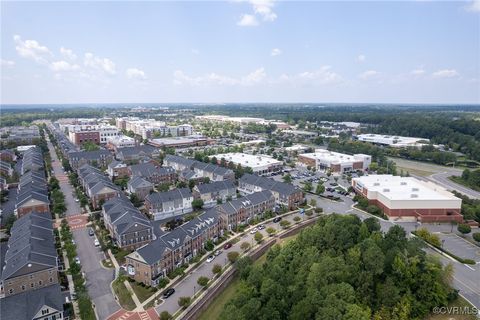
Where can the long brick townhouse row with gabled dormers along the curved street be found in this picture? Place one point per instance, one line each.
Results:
(148, 264)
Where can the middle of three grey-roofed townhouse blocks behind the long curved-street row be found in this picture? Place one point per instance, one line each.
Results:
(212, 193)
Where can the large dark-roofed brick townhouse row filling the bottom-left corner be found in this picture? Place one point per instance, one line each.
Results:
(29, 285)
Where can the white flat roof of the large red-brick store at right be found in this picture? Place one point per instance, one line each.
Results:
(404, 188)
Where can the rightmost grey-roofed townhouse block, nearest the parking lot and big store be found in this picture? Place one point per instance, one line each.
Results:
(285, 194)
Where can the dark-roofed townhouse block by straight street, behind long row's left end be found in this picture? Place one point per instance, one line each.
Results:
(128, 227)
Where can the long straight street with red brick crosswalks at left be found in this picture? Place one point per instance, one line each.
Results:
(98, 278)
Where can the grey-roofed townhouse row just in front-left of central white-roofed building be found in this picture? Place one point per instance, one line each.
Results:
(191, 169)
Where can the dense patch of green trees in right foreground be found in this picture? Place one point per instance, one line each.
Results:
(342, 268)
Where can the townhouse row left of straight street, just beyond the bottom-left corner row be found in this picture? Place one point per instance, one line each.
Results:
(32, 190)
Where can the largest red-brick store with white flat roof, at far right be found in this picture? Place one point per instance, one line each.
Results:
(409, 198)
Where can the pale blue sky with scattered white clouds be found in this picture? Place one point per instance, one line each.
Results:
(240, 51)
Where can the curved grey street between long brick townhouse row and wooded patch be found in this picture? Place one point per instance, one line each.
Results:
(189, 285)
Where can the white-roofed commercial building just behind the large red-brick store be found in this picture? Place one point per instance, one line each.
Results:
(335, 162)
